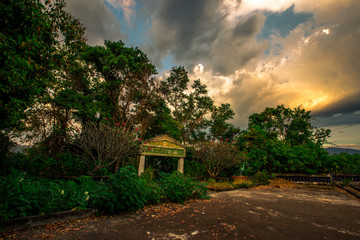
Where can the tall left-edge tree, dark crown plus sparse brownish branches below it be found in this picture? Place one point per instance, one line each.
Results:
(39, 52)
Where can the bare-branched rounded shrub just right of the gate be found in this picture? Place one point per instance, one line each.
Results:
(217, 156)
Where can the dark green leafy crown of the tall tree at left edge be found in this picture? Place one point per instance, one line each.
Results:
(29, 53)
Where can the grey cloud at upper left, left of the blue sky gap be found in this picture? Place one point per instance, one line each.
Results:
(100, 22)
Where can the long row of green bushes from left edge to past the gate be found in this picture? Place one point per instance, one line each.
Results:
(23, 195)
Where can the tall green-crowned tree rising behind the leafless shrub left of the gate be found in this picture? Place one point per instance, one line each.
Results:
(129, 90)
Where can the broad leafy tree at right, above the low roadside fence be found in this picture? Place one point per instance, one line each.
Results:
(284, 140)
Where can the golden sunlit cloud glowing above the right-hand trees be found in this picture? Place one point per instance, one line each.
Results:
(315, 65)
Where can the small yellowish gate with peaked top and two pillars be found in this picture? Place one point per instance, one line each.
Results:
(162, 145)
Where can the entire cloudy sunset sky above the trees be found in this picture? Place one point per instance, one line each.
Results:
(252, 54)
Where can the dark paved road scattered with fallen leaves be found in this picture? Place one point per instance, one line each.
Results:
(302, 213)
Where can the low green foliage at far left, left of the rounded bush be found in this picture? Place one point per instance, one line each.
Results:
(22, 195)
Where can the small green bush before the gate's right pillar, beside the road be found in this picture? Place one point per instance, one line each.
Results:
(179, 188)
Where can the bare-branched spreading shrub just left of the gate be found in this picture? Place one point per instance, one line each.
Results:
(104, 145)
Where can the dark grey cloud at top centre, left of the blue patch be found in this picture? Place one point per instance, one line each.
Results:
(200, 32)
